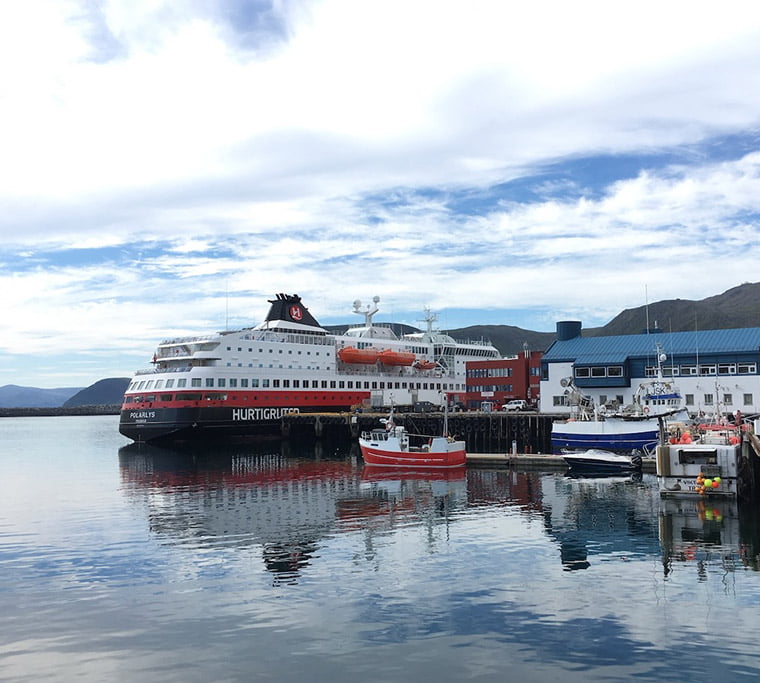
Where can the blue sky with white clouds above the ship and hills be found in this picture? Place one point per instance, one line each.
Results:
(167, 166)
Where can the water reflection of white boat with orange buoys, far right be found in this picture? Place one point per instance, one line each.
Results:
(709, 531)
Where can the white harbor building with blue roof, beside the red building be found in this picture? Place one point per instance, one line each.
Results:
(715, 370)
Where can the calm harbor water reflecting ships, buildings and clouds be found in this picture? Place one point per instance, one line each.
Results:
(288, 561)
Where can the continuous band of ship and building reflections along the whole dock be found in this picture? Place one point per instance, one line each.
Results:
(287, 502)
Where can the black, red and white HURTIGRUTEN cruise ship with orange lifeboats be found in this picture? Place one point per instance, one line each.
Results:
(240, 383)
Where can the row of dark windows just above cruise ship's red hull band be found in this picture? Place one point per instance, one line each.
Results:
(255, 383)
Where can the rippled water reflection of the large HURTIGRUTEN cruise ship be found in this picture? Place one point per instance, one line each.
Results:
(246, 498)
